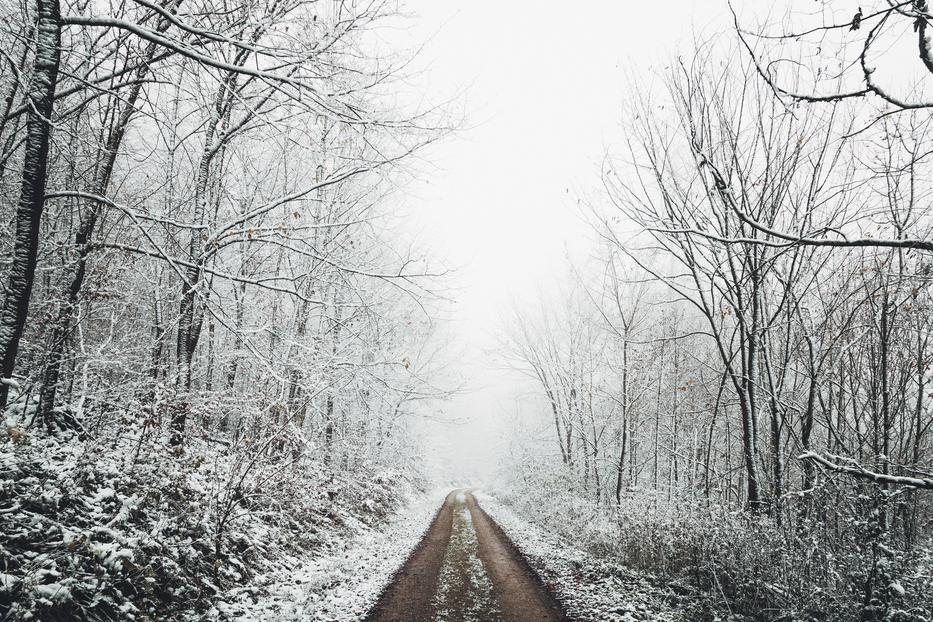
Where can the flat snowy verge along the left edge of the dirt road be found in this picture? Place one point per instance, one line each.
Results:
(342, 584)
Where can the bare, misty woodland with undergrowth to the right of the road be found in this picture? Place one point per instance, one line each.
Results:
(738, 381)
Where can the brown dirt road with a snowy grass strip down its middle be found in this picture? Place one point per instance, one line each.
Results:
(465, 570)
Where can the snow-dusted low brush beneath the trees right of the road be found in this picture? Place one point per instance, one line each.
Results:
(801, 569)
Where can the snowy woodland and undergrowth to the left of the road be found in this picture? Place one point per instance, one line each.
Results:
(208, 303)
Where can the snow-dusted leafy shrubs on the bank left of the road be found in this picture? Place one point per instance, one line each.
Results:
(97, 530)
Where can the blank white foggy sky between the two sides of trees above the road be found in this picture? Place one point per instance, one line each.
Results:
(544, 85)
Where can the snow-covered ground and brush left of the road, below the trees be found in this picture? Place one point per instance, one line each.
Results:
(97, 530)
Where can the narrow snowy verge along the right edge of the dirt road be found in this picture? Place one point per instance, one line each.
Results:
(592, 590)
